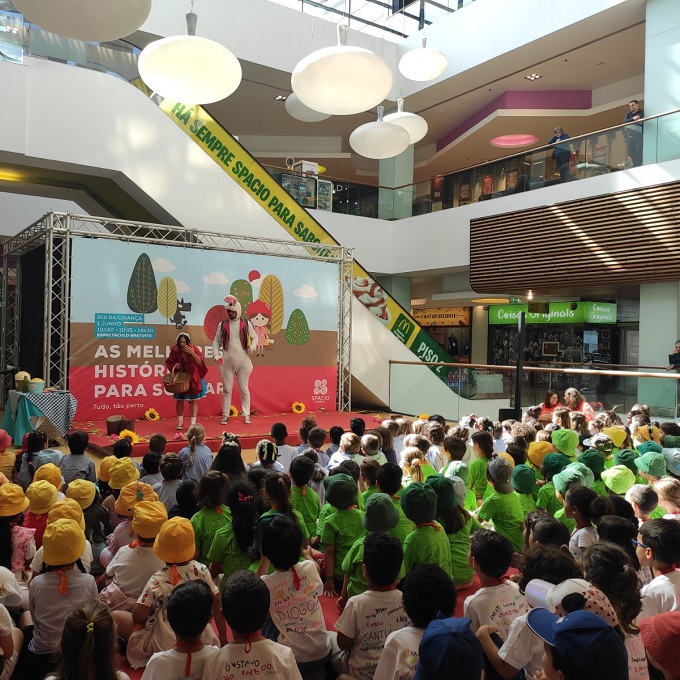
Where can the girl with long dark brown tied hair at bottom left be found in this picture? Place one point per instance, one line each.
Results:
(87, 645)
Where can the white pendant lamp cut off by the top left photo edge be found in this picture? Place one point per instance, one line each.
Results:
(86, 20)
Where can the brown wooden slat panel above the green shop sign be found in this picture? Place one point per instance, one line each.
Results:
(631, 237)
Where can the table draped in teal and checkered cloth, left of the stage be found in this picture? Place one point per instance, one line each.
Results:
(58, 407)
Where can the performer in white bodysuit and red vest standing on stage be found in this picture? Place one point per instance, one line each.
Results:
(232, 344)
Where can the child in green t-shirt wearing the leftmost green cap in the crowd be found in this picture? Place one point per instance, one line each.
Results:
(341, 529)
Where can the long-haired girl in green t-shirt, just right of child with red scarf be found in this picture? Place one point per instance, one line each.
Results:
(457, 523)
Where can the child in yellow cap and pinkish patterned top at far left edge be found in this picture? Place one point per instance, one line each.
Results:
(17, 545)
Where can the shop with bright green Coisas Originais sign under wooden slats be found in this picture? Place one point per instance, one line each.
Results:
(569, 333)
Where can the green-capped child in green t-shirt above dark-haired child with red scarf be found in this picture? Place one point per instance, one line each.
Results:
(503, 507)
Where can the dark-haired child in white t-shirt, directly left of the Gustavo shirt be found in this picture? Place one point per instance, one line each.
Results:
(189, 610)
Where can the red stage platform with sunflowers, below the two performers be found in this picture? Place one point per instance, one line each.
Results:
(249, 435)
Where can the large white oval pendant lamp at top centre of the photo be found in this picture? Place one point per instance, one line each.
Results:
(342, 80)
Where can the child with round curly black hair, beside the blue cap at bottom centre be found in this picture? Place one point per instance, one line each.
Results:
(427, 590)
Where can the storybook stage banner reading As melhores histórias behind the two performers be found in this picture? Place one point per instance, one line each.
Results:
(129, 301)
